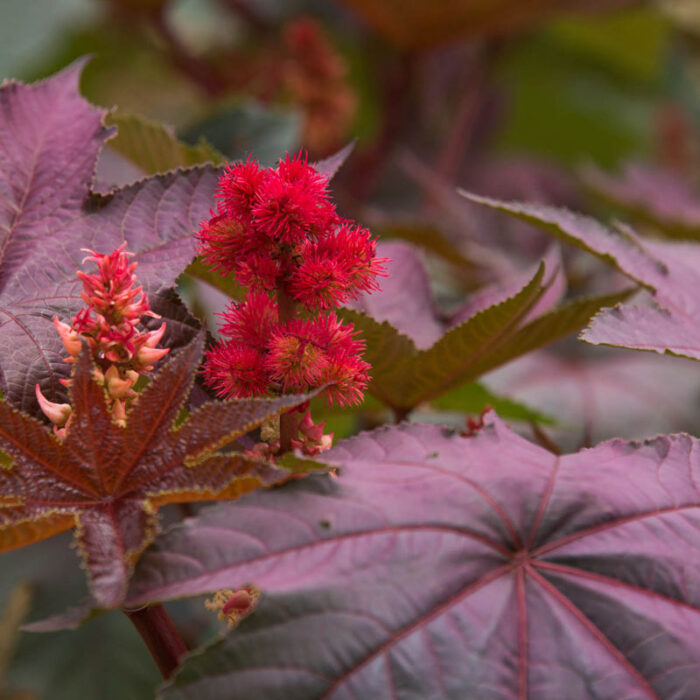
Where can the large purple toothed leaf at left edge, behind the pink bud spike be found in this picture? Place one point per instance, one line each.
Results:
(49, 140)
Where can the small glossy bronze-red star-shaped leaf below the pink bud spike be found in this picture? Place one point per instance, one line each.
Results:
(108, 481)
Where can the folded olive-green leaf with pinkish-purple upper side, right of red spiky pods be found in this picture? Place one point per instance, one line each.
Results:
(413, 360)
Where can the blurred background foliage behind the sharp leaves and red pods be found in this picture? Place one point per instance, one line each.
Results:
(545, 100)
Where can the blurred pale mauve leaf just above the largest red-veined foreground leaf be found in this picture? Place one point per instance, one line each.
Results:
(610, 393)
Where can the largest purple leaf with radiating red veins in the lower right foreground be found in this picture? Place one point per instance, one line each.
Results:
(442, 566)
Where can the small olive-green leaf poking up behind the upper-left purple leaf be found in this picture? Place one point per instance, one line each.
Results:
(154, 148)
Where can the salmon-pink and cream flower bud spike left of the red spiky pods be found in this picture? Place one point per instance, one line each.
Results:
(109, 326)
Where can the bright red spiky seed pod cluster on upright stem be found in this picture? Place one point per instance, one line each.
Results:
(278, 232)
